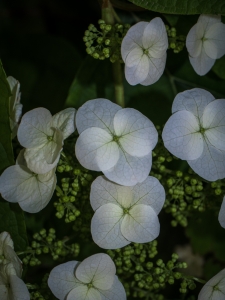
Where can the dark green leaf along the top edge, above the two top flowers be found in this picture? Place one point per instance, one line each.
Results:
(183, 7)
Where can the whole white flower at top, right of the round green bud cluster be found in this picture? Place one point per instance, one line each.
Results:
(143, 51)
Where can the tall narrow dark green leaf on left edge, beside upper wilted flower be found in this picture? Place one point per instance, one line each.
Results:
(5, 131)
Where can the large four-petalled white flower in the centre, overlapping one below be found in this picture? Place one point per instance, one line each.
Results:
(116, 141)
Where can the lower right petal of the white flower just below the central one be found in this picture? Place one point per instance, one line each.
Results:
(141, 225)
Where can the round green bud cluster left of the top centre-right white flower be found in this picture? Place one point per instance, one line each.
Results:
(105, 42)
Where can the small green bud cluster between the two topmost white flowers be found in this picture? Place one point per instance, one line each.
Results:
(176, 42)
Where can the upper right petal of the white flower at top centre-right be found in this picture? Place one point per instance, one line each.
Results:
(155, 38)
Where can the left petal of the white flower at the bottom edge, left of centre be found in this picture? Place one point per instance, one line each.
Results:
(62, 279)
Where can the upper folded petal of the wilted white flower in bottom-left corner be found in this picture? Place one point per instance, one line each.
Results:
(7, 253)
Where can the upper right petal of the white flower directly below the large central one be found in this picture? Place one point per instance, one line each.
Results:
(150, 192)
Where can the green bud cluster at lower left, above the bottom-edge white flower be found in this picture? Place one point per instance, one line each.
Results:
(45, 242)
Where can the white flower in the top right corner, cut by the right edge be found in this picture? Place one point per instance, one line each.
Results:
(205, 43)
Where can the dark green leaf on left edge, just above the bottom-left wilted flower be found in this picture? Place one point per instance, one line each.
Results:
(12, 221)
